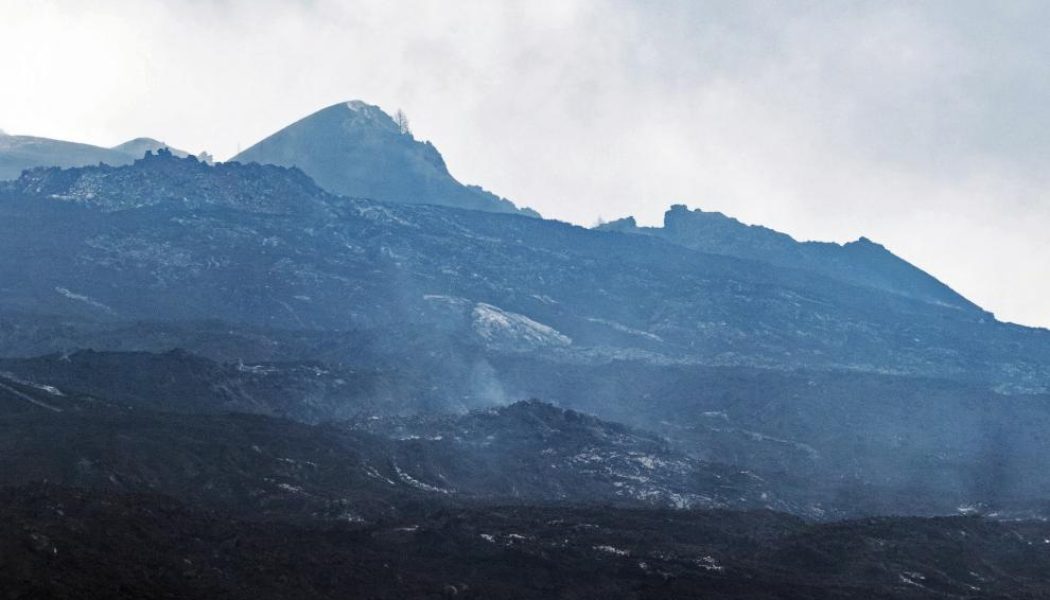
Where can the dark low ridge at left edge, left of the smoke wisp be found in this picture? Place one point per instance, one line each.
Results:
(182, 383)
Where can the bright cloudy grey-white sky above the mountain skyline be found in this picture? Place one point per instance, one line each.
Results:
(922, 126)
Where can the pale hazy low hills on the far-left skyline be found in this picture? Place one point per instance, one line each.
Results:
(20, 153)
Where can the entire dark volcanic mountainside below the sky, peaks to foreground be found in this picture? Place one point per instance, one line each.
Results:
(333, 370)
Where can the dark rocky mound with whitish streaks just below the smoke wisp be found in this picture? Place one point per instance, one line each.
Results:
(533, 451)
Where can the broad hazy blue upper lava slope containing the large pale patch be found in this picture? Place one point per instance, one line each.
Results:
(176, 240)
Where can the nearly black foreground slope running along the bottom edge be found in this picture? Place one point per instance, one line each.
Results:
(62, 544)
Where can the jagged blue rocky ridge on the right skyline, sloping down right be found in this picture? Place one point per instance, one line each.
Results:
(863, 263)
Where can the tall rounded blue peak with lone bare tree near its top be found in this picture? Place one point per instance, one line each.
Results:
(356, 150)
